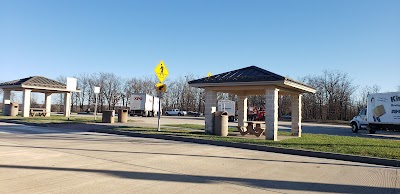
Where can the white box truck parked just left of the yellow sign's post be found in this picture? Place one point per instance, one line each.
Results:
(143, 105)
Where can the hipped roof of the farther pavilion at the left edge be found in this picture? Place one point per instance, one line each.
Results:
(36, 81)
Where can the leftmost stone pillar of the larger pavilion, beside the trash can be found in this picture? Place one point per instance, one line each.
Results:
(209, 109)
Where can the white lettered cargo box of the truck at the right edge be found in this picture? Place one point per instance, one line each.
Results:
(384, 108)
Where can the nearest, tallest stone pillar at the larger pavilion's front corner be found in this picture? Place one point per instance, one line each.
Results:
(271, 114)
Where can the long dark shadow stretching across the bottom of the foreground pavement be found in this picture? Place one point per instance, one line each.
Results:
(250, 182)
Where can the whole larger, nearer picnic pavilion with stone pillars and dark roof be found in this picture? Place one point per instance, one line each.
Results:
(249, 81)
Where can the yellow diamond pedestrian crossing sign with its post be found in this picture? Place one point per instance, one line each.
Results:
(161, 73)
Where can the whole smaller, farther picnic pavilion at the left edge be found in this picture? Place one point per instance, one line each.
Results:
(36, 84)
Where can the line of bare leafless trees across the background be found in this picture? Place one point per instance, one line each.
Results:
(337, 98)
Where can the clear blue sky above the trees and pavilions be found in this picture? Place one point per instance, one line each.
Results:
(293, 38)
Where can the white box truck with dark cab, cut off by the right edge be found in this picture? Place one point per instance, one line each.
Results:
(382, 112)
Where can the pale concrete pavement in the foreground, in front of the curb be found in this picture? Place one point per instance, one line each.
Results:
(52, 160)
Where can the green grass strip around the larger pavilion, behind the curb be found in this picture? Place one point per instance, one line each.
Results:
(381, 148)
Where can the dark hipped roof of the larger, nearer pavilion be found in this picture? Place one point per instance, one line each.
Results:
(247, 74)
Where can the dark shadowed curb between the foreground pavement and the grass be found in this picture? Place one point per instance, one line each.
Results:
(327, 155)
